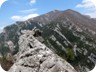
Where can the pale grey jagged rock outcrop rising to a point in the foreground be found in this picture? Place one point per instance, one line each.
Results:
(33, 56)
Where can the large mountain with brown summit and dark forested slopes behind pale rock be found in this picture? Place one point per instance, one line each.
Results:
(67, 33)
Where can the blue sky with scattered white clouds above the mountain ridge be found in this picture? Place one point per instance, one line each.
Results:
(18, 10)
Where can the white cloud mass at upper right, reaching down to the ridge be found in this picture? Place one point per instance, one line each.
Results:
(89, 6)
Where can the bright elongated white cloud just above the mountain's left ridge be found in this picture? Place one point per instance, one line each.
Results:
(23, 18)
